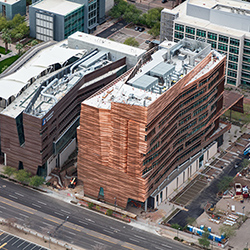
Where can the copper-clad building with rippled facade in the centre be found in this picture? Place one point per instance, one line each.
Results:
(146, 133)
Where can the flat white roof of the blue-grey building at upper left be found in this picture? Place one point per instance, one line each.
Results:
(62, 7)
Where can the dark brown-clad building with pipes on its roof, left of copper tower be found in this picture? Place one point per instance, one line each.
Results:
(38, 127)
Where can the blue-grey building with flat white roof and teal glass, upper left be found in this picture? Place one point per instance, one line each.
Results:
(58, 19)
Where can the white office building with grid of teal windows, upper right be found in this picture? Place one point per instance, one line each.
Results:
(223, 24)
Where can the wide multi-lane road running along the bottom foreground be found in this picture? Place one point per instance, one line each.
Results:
(83, 228)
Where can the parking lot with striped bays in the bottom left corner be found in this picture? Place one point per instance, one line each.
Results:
(11, 242)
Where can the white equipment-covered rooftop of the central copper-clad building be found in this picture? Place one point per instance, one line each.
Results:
(123, 92)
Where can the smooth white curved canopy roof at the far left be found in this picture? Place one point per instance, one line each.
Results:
(59, 53)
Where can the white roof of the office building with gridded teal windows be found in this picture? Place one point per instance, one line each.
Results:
(234, 12)
